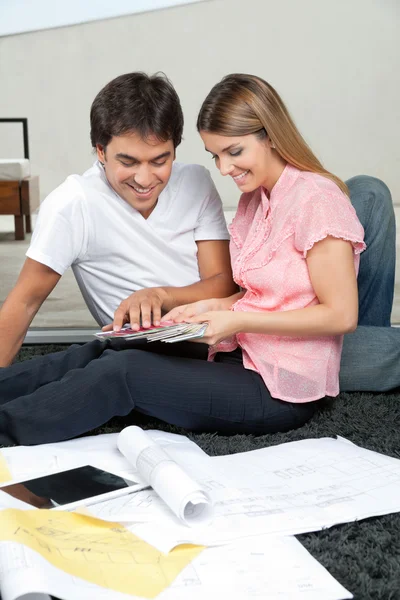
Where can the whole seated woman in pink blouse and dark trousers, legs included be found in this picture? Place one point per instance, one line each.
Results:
(275, 346)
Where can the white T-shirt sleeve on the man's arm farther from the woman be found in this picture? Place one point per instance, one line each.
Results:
(59, 235)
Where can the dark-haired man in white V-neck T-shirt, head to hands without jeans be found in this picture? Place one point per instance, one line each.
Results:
(135, 222)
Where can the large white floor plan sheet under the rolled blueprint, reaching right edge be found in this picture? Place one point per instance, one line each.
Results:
(287, 489)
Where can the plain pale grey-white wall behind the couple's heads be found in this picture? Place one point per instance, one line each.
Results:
(336, 64)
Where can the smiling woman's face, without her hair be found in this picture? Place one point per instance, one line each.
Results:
(250, 161)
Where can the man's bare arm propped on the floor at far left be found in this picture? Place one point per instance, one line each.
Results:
(34, 284)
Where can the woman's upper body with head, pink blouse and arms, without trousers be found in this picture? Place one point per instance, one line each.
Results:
(295, 245)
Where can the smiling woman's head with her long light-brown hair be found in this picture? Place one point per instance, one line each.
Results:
(243, 110)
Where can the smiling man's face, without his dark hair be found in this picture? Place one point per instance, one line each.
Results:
(138, 170)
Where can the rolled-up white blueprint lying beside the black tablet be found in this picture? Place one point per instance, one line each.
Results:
(184, 496)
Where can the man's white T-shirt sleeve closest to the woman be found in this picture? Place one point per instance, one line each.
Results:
(211, 224)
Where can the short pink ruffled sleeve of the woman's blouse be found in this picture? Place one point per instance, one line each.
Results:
(325, 215)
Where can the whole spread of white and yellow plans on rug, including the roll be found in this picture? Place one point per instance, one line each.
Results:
(251, 497)
